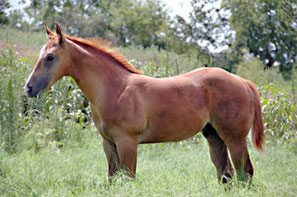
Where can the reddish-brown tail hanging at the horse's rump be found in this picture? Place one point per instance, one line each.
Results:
(258, 137)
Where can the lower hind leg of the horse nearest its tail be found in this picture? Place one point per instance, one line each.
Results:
(241, 160)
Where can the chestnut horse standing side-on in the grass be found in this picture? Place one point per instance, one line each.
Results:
(130, 109)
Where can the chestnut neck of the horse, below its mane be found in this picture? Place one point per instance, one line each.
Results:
(96, 75)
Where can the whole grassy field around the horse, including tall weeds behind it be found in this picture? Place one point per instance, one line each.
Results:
(47, 152)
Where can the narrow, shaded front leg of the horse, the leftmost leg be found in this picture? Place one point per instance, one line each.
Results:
(112, 157)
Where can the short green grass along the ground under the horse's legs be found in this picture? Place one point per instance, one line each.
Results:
(174, 169)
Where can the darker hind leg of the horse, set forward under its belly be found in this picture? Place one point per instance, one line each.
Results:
(218, 153)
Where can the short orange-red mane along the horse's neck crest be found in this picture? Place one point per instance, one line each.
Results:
(104, 46)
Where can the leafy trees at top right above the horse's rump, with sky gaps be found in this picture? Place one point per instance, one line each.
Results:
(266, 29)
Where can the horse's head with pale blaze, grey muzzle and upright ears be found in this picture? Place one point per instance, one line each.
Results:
(51, 64)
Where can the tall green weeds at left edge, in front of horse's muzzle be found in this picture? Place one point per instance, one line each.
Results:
(11, 98)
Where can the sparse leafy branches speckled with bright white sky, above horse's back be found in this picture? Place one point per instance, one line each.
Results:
(208, 24)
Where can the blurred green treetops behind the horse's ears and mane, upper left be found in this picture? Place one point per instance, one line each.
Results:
(124, 22)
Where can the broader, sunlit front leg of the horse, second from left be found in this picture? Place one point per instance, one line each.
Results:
(127, 150)
